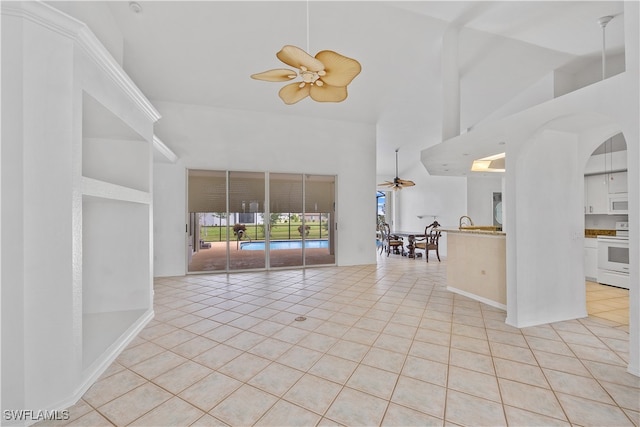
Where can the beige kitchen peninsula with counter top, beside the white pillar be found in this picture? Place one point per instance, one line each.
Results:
(476, 265)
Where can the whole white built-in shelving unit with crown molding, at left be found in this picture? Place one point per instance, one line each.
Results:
(78, 278)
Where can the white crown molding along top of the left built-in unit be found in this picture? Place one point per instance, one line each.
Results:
(61, 23)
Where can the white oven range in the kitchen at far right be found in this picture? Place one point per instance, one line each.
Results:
(613, 257)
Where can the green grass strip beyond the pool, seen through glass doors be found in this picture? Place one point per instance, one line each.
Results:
(278, 232)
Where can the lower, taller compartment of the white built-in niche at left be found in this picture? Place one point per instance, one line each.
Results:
(115, 271)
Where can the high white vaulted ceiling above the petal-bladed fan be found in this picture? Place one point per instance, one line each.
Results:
(203, 52)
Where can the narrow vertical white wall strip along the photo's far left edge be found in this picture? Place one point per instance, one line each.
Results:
(12, 320)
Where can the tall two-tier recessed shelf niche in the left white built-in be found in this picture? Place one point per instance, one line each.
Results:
(116, 217)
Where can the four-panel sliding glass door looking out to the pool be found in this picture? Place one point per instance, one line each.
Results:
(256, 220)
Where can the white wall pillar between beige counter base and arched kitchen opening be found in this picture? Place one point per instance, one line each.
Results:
(550, 287)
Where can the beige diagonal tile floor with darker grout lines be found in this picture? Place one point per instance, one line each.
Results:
(382, 344)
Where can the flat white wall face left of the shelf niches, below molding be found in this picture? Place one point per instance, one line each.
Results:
(43, 315)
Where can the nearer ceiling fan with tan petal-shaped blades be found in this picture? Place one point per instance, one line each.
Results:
(325, 77)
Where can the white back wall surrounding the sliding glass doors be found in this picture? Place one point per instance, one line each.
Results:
(246, 141)
